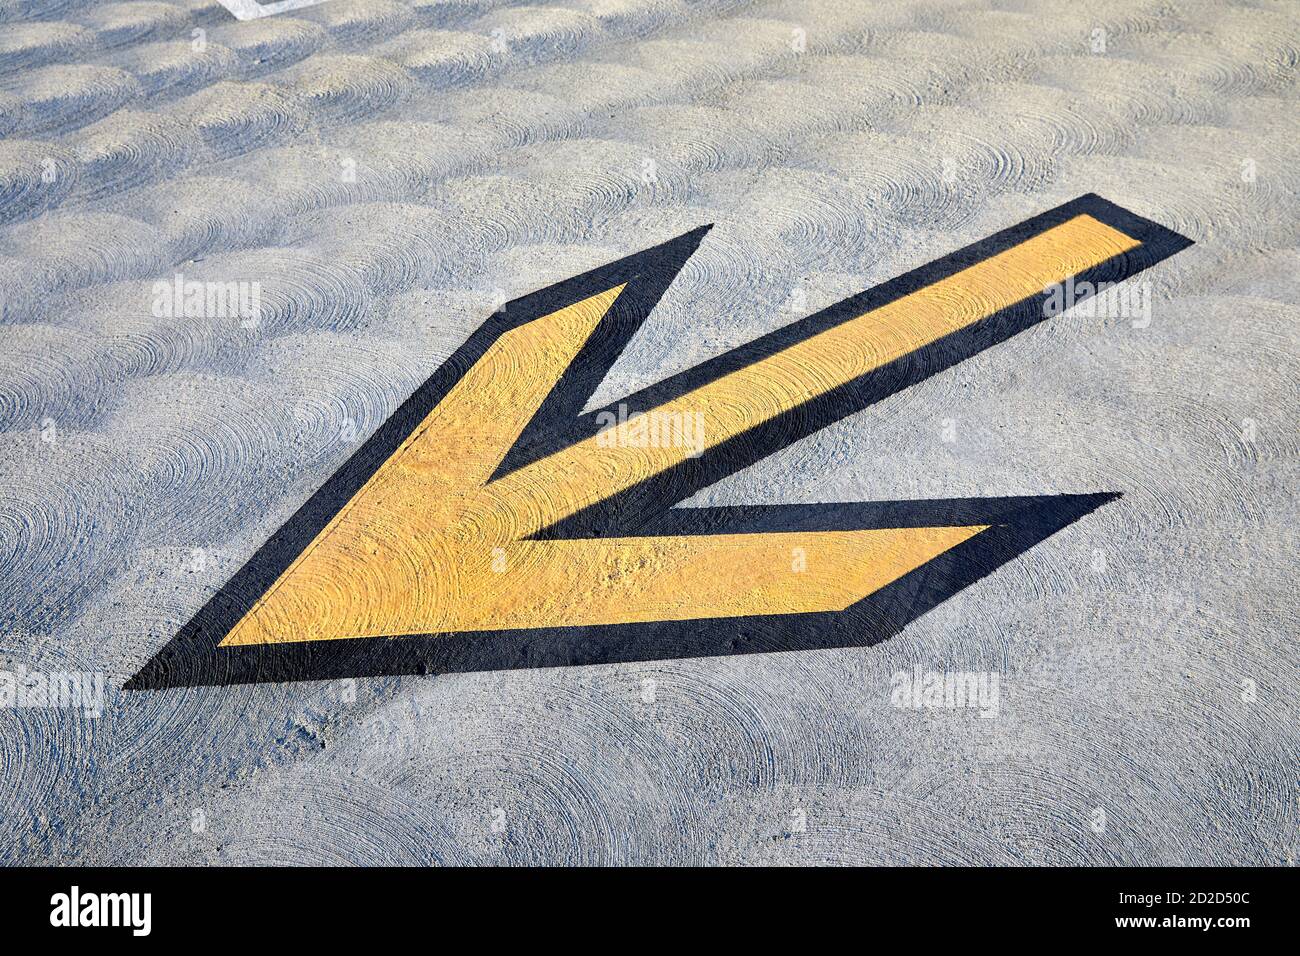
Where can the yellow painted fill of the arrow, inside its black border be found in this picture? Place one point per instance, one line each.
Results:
(431, 544)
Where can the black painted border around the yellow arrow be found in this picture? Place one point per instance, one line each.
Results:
(193, 657)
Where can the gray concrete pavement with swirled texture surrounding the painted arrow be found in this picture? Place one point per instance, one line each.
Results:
(387, 171)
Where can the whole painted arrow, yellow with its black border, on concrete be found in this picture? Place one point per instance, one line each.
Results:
(443, 534)
